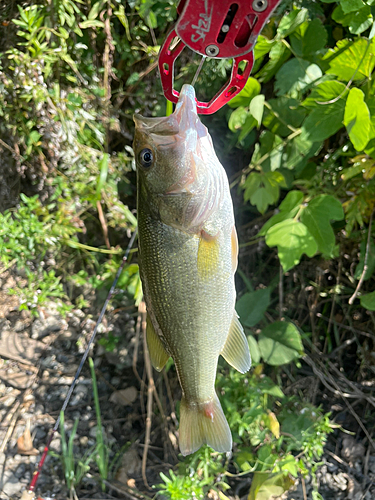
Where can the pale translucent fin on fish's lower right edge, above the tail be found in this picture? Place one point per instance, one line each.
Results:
(236, 349)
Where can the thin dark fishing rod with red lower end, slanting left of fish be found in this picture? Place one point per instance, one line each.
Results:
(29, 493)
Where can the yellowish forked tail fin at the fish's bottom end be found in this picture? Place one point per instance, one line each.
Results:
(203, 424)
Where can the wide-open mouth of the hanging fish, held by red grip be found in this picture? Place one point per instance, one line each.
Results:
(184, 117)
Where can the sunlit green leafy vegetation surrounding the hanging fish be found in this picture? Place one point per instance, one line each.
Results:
(299, 147)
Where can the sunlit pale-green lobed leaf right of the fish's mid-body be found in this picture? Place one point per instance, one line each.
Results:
(292, 239)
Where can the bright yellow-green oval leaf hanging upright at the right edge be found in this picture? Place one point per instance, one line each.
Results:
(357, 119)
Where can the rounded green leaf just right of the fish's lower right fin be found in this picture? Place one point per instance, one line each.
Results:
(280, 343)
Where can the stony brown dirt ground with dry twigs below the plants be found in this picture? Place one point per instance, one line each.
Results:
(38, 360)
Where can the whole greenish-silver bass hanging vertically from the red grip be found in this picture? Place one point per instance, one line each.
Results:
(188, 251)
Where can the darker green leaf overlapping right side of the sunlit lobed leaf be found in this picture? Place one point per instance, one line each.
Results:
(316, 217)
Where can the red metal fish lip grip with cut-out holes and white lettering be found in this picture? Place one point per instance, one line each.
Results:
(217, 29)
